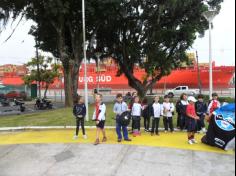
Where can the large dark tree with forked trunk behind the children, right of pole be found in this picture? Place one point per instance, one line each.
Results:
(154, 35)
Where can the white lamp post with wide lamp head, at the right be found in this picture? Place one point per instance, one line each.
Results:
(210, 15)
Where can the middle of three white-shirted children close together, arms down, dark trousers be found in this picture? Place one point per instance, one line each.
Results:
(157, 111)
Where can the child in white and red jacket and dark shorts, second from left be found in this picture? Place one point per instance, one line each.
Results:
(100, 117)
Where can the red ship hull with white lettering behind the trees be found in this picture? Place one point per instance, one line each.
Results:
(222, 77)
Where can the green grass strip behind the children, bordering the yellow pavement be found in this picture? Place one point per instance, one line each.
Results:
(60, 117)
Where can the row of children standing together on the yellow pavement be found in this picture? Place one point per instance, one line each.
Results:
(191, 115)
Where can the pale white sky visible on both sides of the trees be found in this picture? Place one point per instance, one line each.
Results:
(20, 47)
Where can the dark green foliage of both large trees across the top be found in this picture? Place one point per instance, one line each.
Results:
(152, 34)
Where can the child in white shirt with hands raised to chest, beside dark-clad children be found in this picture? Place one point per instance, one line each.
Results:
(168, 110)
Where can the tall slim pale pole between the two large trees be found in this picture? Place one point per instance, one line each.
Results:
(85, 45)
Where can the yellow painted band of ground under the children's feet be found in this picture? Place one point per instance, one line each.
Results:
(177, 140)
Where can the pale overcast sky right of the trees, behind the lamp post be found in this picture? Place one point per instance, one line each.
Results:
(223, 37)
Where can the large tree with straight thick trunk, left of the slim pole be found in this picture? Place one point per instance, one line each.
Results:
(58, 30)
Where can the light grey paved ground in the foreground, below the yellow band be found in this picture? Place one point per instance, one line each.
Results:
(110, 160)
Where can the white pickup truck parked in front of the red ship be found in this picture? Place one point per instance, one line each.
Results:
(180, 90)
